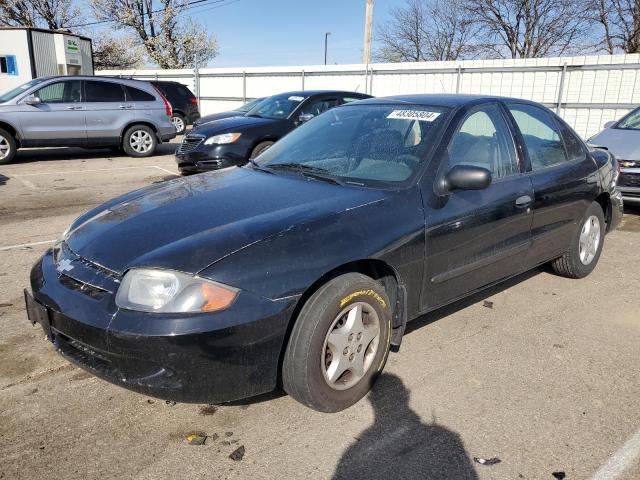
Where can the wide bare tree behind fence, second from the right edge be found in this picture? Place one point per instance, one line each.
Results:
(530, 28)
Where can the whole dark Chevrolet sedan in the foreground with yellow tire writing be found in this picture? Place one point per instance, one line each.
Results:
(303, 268)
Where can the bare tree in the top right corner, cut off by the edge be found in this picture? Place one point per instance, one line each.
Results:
(620, 21)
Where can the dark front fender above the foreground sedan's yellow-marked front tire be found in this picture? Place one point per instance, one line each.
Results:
(288, 263)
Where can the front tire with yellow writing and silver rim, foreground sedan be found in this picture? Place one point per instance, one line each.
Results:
(311, 370)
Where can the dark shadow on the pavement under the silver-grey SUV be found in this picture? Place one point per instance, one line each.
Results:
(72, 153)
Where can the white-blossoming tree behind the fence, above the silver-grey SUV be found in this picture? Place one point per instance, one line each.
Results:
(168, 41)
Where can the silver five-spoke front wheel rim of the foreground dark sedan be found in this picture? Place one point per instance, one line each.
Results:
(350, 346)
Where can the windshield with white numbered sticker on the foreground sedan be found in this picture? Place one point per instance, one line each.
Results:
(362, 144)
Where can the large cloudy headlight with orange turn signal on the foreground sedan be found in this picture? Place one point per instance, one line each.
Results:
(164, 291)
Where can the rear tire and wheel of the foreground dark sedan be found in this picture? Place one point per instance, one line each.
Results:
(586, 246)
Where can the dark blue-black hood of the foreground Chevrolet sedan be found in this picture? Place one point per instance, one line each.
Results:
(189, 223)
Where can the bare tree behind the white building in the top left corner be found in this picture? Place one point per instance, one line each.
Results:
(52, 14)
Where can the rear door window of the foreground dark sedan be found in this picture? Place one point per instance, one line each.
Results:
(541, 135)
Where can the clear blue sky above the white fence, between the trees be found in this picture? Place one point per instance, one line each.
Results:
(287, 32)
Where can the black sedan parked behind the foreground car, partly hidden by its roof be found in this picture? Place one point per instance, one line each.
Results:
(235, 140)
